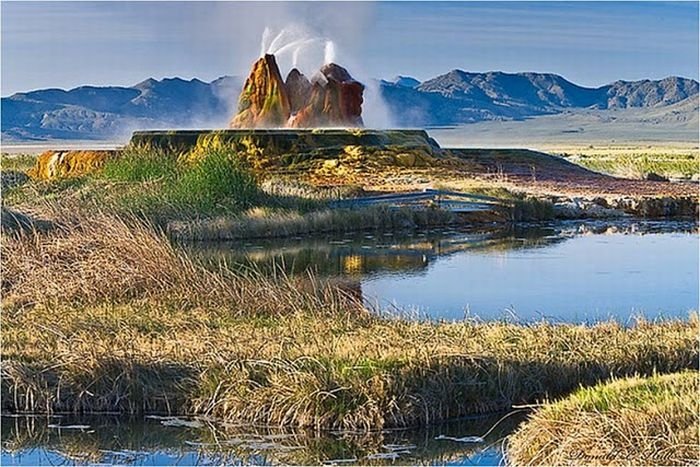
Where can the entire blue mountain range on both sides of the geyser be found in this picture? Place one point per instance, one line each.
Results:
(454, 98)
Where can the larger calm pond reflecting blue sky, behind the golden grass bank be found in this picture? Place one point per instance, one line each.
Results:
(566, 271)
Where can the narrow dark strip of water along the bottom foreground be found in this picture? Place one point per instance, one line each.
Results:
(155, 440)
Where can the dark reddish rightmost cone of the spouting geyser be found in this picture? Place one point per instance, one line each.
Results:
(335, 100)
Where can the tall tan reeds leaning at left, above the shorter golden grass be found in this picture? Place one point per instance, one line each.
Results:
(106, 258)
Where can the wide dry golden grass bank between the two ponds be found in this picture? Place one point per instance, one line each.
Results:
(102, 314)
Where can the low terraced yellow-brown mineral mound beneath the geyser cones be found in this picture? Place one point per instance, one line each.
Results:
(394, 161)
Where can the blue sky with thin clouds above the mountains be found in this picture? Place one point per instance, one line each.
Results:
(67, 44)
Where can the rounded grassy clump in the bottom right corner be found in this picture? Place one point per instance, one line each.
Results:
(637, 421)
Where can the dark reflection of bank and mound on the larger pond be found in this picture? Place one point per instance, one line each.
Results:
(362, 255)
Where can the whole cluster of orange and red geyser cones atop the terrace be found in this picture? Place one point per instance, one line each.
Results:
(333, 98)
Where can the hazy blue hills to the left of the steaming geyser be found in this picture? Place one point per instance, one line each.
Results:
(90, 112)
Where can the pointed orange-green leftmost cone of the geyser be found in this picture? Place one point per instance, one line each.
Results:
(264, 102)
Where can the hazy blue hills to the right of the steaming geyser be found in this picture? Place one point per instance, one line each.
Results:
(460, 97)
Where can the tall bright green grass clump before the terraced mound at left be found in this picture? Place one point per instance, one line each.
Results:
(153, 185)
